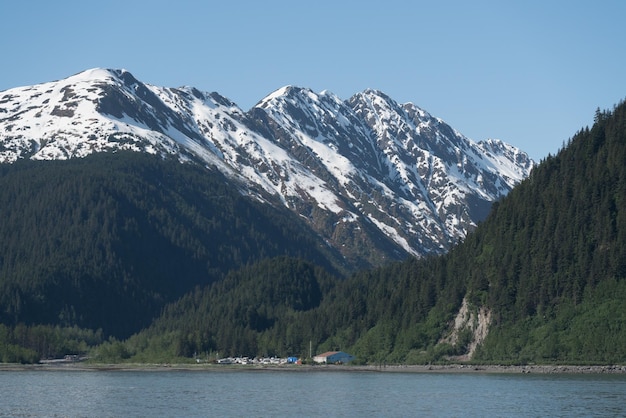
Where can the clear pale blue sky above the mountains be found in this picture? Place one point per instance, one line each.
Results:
(528, 72)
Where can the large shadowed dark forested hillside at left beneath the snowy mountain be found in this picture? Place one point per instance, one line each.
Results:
(105, 241)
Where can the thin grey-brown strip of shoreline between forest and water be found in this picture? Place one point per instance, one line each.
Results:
(447, 368)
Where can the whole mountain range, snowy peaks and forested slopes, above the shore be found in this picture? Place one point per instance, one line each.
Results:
(193, 228)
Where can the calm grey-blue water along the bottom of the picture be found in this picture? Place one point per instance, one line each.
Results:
(315, 393)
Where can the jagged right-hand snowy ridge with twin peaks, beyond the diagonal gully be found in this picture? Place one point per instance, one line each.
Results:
(437, 182)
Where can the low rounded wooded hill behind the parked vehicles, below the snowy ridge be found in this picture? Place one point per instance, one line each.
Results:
(253, 311)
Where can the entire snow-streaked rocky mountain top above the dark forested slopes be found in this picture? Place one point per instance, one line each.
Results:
(376, 178)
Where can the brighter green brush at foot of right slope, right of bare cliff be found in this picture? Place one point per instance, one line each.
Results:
(593, 331)
